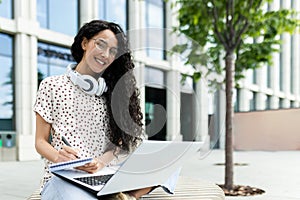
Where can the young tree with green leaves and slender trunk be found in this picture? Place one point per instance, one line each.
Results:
(246, 32)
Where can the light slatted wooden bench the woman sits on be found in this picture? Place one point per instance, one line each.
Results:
(187, 188)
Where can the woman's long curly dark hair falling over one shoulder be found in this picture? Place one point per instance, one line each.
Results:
(122, 96)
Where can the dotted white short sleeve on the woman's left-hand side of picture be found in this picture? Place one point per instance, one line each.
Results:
(44, 102)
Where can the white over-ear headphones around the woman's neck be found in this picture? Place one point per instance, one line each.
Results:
(86, 83)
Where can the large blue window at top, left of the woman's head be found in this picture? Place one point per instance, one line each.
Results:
(57, 15)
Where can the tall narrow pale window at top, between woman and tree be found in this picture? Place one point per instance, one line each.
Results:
(155, 22)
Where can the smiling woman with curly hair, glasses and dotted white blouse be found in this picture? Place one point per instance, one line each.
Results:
(95, 106)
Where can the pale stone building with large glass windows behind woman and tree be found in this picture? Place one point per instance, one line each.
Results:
(35, 38)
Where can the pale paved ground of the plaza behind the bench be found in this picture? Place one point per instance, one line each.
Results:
(276, 172)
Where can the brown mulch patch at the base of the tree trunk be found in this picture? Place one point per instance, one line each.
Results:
(241, 190)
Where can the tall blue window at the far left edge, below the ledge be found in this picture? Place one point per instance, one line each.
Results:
(6, 83)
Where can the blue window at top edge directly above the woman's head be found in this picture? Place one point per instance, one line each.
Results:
(117, 15)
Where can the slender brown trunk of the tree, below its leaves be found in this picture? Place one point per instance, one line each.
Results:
(229, 65)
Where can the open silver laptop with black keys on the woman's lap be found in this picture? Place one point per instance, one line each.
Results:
(151, 164)
